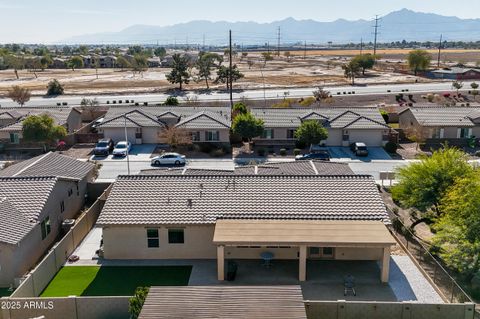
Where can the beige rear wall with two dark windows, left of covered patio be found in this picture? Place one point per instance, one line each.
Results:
(130, 242)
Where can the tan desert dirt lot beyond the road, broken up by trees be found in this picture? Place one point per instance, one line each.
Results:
(320, 67)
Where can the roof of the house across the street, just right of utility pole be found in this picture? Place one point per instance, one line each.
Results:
(334, 117)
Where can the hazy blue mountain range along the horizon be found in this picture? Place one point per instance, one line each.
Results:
(396, 26)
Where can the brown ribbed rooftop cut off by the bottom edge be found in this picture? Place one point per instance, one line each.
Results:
(280, 302)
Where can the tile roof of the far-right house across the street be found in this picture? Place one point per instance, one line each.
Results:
(445, 116)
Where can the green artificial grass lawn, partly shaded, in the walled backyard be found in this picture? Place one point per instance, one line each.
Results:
(113, 280)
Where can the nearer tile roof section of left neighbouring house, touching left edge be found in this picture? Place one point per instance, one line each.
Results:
(21, 202)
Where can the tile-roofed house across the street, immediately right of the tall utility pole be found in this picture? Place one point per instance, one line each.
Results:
(344, 125)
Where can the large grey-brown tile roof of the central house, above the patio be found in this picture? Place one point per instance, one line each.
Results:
(157, 200)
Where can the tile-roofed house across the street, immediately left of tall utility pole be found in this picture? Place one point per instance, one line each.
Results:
(146, 124)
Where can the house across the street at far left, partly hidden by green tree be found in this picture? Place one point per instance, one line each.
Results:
(11, 132)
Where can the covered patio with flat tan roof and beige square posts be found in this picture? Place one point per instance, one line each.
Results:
(356, 240)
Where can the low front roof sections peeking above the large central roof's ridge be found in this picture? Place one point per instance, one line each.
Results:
(281, 168)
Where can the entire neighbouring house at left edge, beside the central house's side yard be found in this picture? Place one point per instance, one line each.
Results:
(36, 196)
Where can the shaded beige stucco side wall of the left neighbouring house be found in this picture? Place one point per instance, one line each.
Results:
(25, 255)
